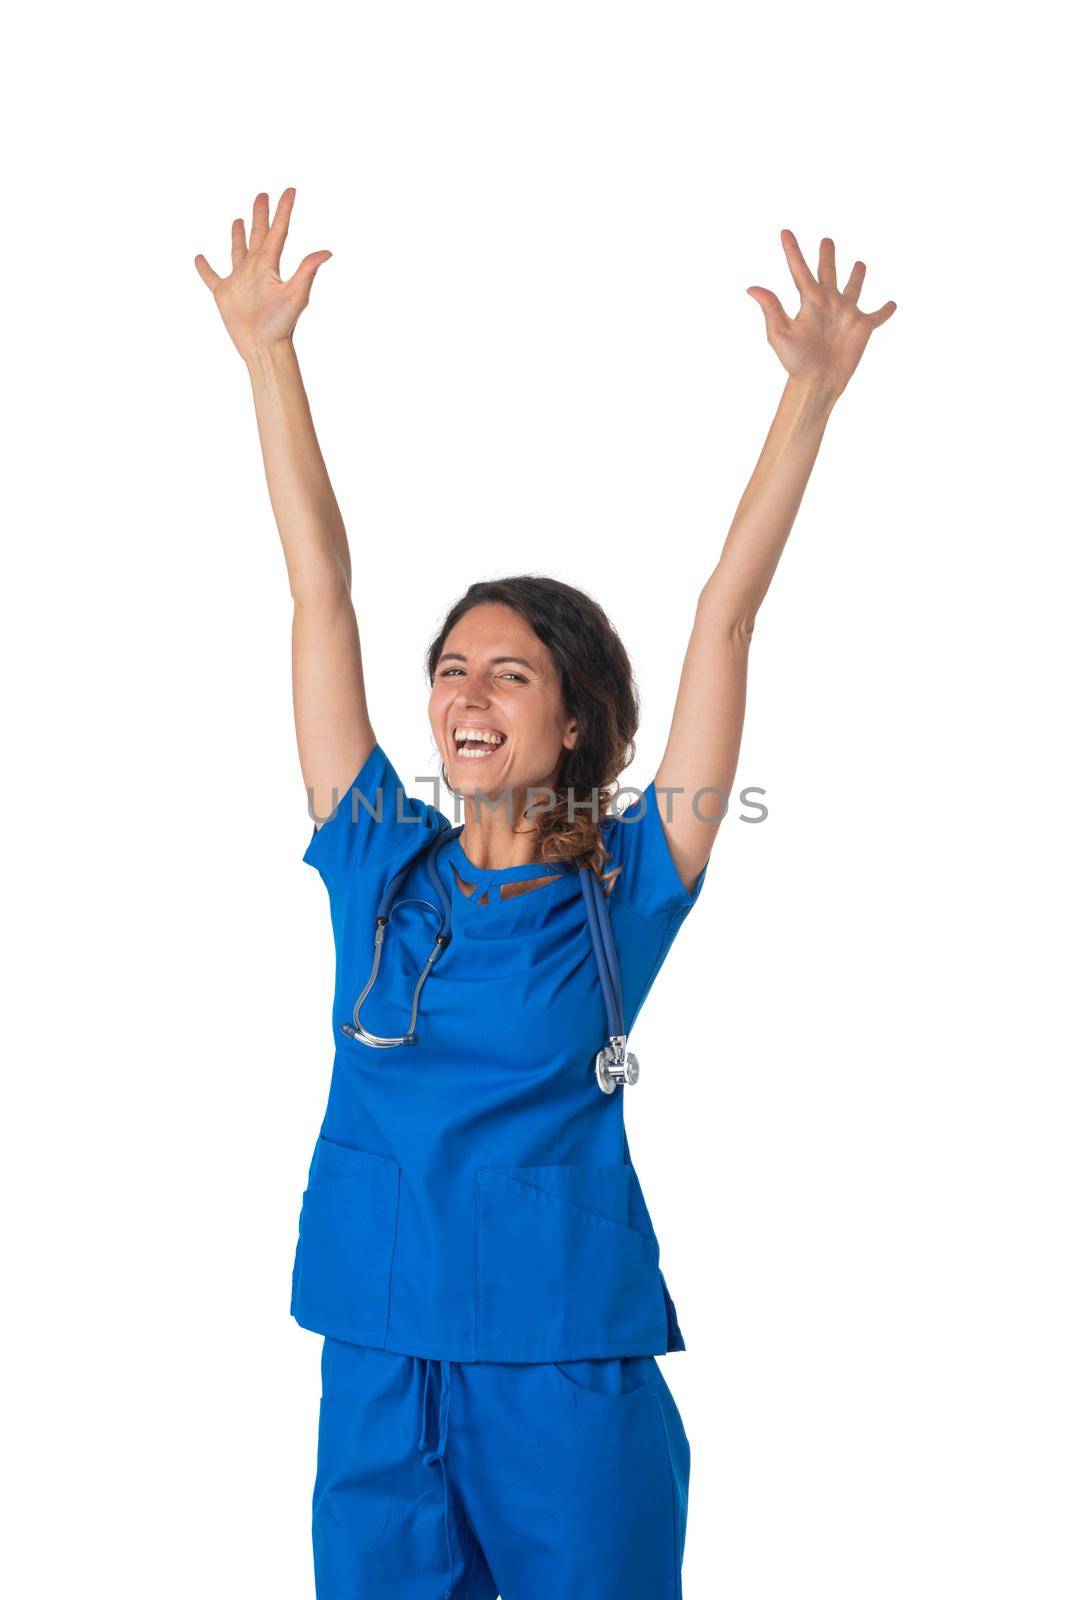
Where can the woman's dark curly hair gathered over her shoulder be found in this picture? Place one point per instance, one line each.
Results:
(599, 692)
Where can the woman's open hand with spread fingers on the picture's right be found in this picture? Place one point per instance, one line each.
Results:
(823, 343)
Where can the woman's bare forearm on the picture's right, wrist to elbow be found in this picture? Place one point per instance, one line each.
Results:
(767, 511)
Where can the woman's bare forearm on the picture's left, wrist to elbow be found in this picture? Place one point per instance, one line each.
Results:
(305, 506)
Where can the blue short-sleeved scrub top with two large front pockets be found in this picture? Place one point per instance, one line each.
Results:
(471, 1198)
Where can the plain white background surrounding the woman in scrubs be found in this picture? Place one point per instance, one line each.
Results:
(533, 350)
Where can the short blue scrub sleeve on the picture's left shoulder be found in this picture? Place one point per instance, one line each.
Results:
(375, 823)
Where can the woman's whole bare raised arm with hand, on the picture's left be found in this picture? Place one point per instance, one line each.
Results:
(260, 310)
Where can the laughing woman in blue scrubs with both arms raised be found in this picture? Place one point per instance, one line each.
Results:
(474, 1244)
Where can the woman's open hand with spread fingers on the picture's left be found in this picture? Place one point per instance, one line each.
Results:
(258, 306)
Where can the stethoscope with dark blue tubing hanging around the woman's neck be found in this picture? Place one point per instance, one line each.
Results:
(613, 1066)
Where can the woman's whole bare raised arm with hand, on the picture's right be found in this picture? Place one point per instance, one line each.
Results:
(820, 351)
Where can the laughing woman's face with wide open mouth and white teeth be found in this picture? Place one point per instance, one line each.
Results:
(498, 684)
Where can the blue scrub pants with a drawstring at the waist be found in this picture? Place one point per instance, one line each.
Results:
(553, 1481)
